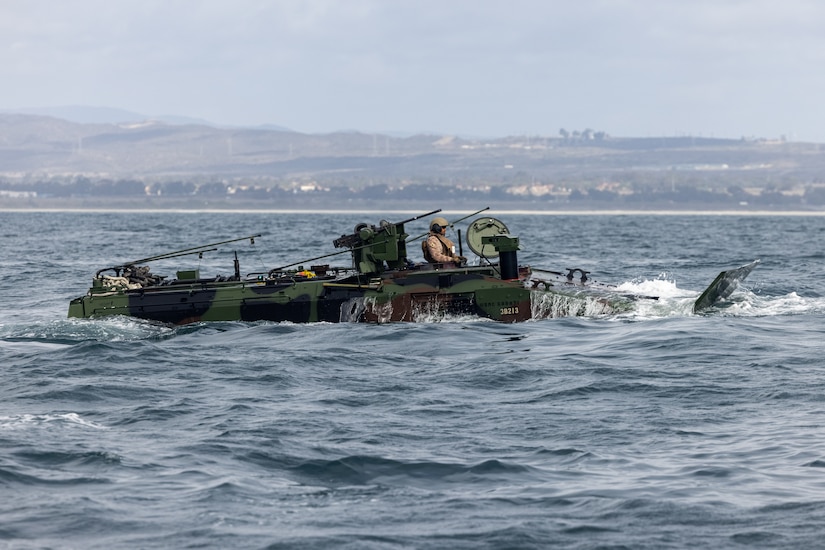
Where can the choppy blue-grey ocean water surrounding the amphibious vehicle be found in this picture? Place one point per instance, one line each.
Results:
(656, 428)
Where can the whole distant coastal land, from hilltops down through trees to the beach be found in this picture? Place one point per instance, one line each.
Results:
(44, 152)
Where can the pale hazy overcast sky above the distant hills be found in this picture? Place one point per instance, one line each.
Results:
(723, 68)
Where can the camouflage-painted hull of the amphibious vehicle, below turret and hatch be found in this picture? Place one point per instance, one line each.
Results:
(395, 296)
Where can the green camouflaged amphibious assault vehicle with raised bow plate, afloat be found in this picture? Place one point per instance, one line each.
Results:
(381, 285)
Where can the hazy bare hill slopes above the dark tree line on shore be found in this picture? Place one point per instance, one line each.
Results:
(46, 145)
